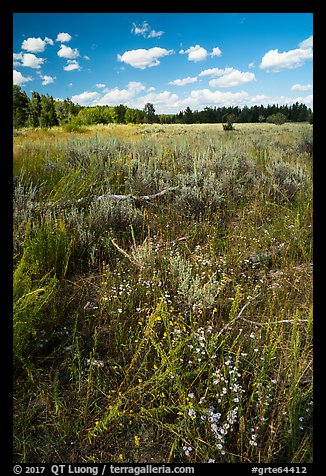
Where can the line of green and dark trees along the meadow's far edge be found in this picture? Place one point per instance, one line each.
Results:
(43, 111)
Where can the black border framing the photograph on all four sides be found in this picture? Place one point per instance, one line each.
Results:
(236, 6)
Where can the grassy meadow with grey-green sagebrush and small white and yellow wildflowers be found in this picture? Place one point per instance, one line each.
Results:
(167, 327)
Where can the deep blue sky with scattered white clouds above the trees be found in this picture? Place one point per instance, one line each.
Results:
(172, 60)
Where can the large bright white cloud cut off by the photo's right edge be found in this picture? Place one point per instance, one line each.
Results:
(276, 62)
